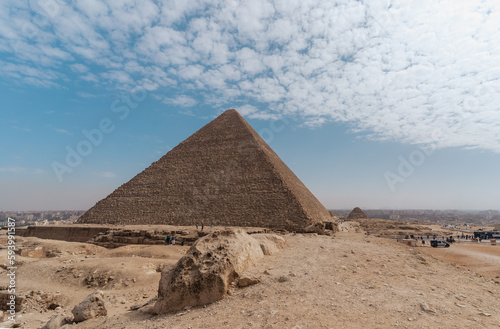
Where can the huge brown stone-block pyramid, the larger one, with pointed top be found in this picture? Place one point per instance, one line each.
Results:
(224, 174)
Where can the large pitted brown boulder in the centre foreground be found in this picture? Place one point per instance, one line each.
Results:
(205, 273)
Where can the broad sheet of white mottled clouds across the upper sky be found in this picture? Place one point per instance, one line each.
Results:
(419, 72)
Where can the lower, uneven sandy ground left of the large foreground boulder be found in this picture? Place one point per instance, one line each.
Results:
(128, 275)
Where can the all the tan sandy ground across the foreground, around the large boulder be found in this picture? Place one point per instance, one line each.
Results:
(347, 281)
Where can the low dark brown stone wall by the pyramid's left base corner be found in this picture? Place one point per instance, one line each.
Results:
(65, 233)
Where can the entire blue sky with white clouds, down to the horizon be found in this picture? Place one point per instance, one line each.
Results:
(378, 104)
